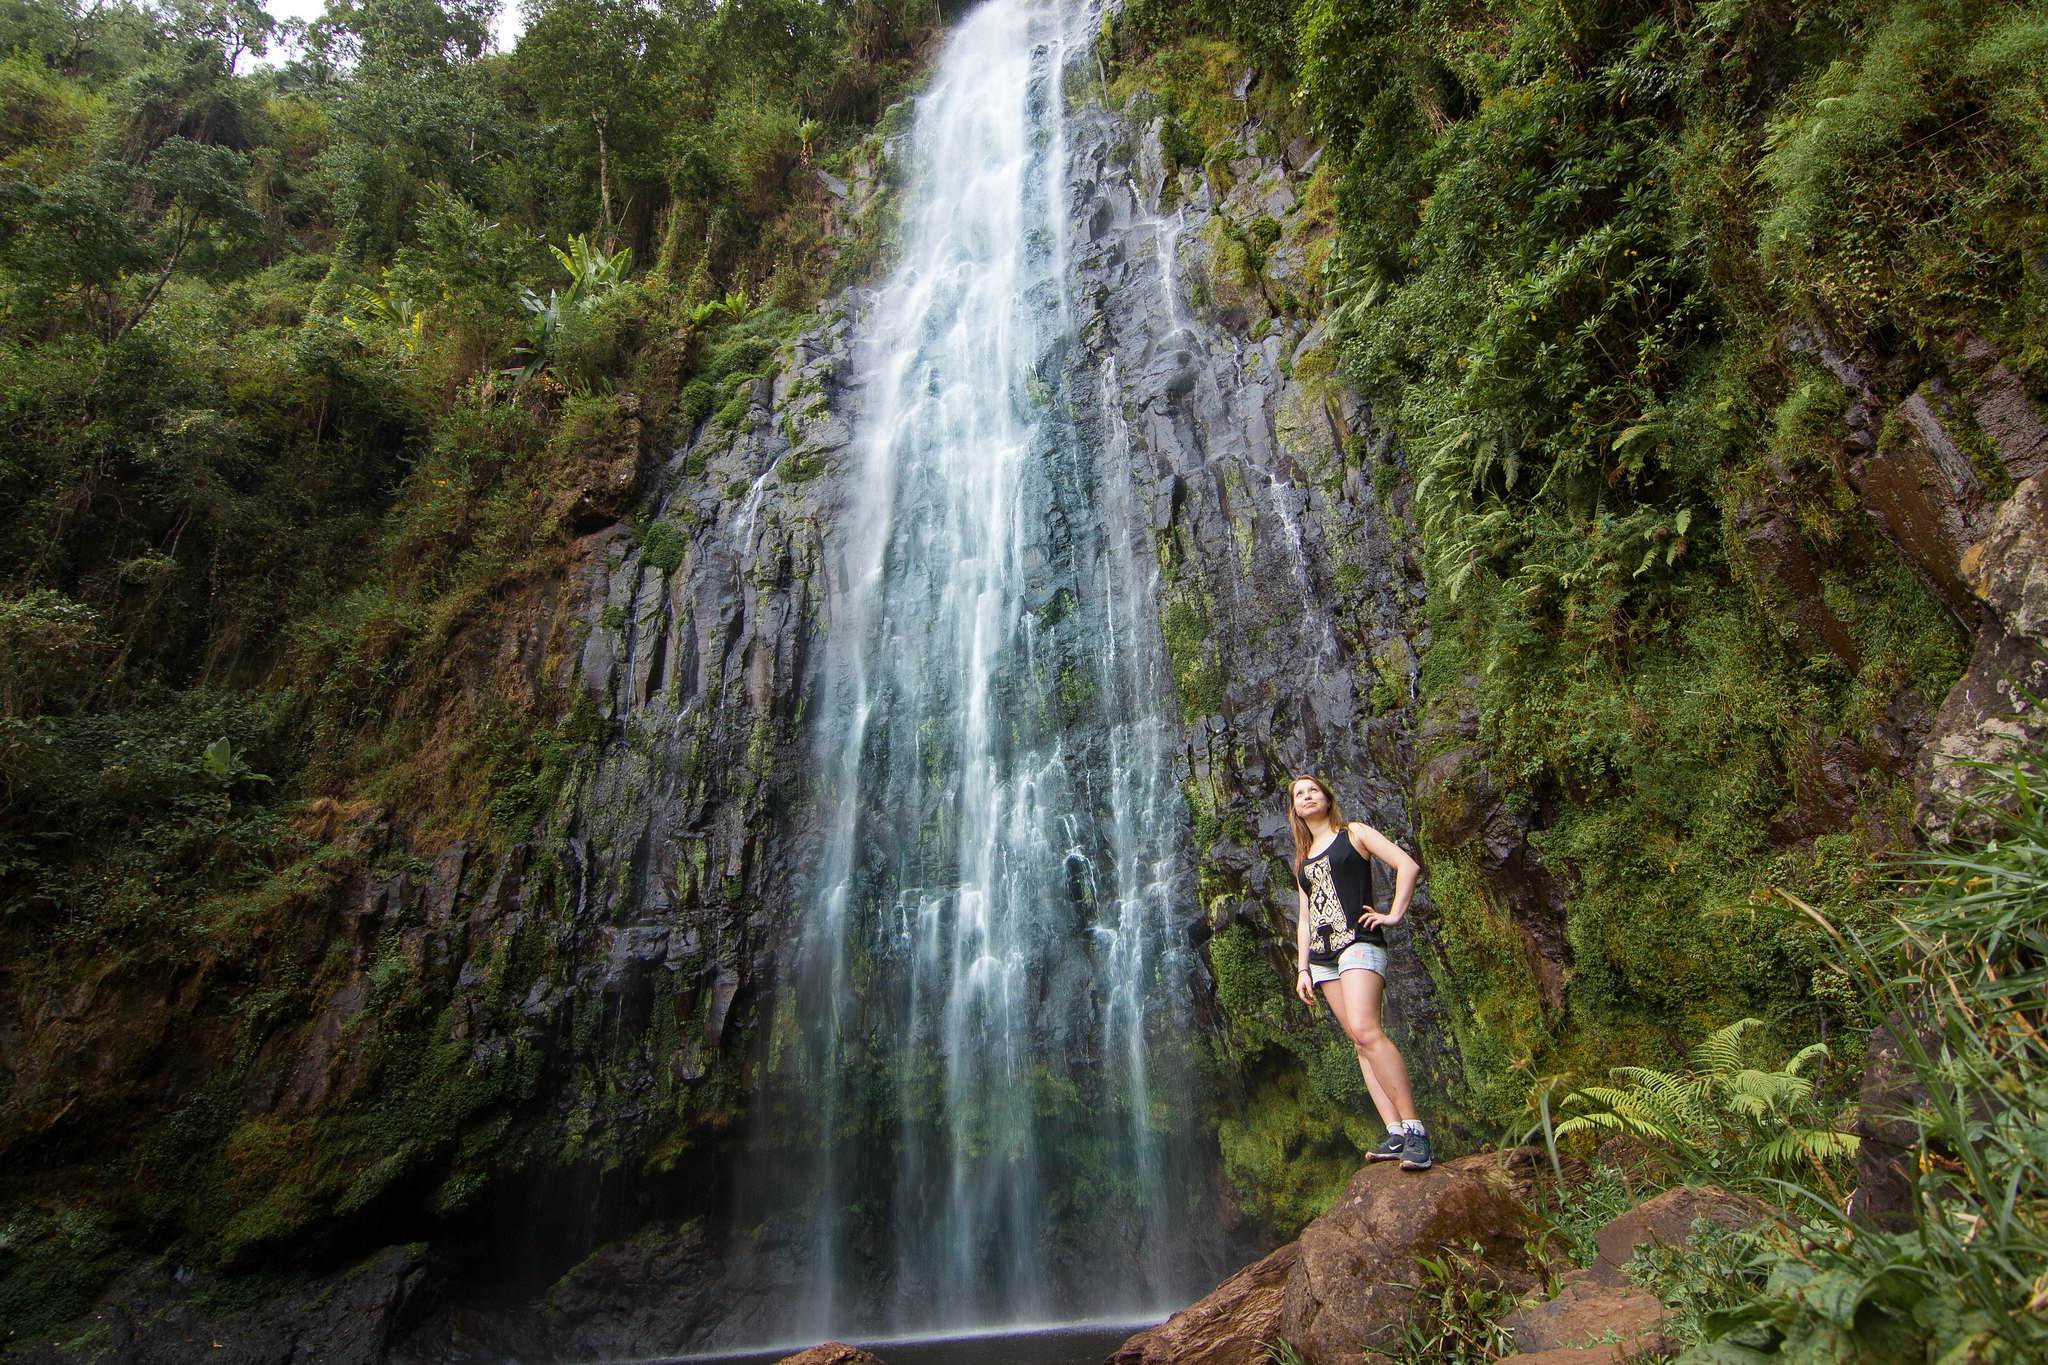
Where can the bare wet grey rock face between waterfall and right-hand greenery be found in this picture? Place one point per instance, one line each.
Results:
(1289, 590)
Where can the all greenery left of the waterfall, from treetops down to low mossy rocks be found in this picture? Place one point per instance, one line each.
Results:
(312, 369)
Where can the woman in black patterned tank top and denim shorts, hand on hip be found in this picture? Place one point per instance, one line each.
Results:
(1340, 946)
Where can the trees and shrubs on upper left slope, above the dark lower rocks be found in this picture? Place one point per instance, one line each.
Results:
(298, 359)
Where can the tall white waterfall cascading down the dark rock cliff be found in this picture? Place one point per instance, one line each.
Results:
(982, 1065)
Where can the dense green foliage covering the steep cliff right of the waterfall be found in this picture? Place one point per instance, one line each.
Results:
(1586, 261)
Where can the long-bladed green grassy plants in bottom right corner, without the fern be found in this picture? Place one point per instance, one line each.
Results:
(1967, 963)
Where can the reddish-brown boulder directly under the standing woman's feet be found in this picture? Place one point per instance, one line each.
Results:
(1357, 1274)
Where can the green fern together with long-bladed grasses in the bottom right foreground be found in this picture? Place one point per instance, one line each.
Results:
(1953, 1270)
